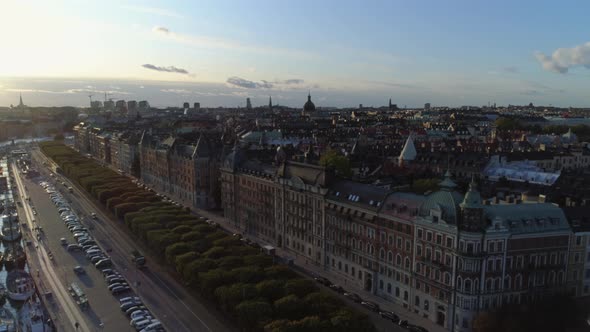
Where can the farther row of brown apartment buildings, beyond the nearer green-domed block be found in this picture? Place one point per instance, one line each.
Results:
(185, 170)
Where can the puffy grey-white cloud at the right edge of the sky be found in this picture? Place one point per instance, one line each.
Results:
(563, 59)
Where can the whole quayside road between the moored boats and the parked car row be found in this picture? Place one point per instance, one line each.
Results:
(57, 274)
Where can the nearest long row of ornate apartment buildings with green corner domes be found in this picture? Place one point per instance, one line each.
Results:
(446, 256)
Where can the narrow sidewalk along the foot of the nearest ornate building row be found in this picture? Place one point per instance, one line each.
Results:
(313, 269)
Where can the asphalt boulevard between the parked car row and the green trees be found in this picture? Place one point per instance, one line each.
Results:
(164, 296)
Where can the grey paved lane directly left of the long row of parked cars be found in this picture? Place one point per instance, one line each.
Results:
(94, 286)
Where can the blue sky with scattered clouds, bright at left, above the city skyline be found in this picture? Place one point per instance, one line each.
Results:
(455, 52)
